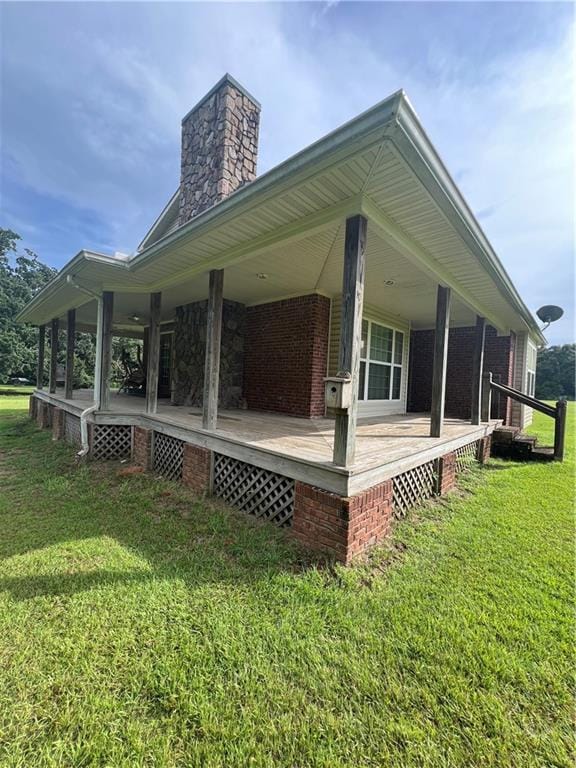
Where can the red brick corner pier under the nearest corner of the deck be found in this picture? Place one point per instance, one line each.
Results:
(344, 527)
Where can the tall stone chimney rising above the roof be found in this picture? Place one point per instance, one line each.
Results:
(219, 147)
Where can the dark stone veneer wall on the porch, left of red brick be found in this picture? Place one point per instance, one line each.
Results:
(190, 351)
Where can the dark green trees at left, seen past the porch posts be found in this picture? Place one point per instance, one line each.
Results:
(22, 275)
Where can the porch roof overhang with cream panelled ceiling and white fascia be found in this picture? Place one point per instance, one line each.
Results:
(287, 225)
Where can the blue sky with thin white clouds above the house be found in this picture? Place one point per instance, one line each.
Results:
(93, 95)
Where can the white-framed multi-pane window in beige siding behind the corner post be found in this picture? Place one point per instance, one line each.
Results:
(381, 358)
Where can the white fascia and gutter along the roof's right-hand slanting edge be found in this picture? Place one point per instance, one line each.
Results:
(411, 140)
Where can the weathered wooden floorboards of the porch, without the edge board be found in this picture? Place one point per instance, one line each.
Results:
(379, 441)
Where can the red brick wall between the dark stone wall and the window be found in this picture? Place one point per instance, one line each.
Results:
(286, 354)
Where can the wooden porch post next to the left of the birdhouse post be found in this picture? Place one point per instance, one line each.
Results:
(212, 360)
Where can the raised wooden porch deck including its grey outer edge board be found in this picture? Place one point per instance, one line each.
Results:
(303, 448)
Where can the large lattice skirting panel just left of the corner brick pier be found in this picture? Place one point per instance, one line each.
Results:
(254, 490)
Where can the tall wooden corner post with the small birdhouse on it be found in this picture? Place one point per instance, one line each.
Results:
(350, 336)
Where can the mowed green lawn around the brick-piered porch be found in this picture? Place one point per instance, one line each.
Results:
(143, 626)
